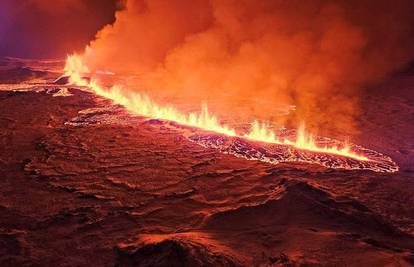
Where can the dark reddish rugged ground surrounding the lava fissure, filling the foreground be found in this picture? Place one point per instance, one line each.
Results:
(102, 190)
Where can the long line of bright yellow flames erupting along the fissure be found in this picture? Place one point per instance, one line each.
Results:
(143, 105)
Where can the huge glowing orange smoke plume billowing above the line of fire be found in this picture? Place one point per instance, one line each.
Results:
(262, 55)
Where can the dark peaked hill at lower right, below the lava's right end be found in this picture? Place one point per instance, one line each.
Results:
(299, 203)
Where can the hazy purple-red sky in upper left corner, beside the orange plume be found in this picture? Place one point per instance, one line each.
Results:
(50, 28)
